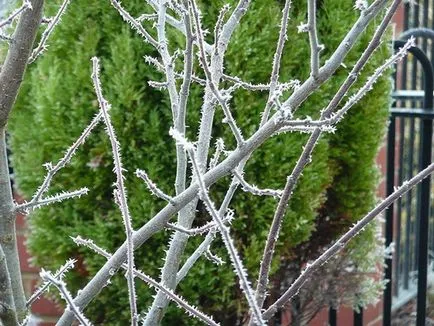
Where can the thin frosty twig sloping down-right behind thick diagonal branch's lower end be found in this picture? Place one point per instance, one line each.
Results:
(191, 310)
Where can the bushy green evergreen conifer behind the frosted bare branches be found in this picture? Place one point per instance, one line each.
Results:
(336, 189)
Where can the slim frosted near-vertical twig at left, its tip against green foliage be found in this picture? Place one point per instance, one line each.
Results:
(120, 192)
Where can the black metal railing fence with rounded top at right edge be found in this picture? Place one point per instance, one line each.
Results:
(408, 222)
